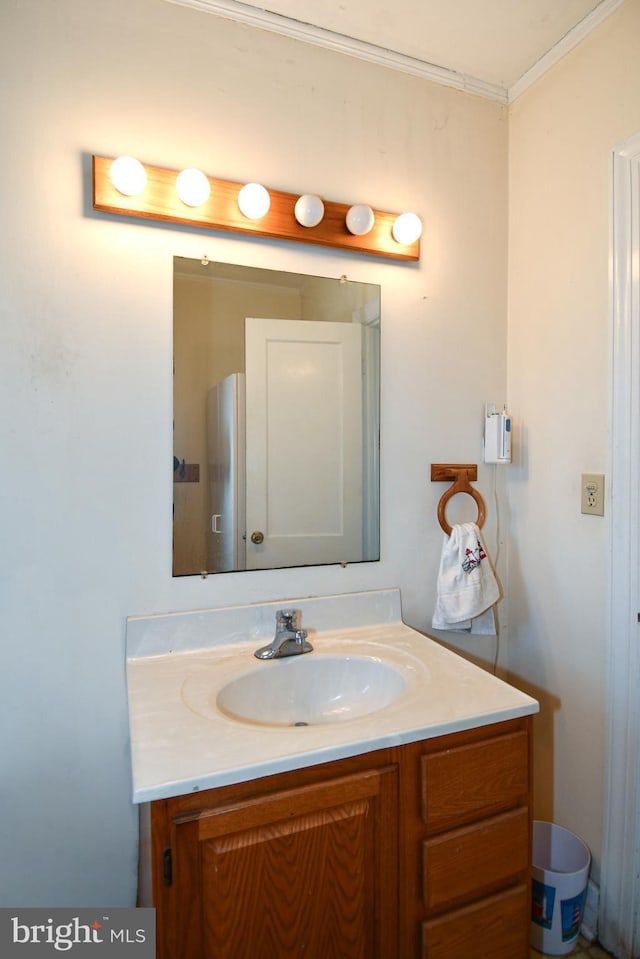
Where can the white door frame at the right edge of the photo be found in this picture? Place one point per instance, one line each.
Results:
(620, 883)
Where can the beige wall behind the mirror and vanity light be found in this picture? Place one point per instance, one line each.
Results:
(86, 363)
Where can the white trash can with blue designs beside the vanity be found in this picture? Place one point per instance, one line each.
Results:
(559, 886)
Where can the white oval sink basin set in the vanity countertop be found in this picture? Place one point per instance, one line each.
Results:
(304, 690)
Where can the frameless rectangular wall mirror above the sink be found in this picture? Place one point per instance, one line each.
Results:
(276, 419)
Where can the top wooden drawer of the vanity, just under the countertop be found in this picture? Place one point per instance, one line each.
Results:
(471, 782)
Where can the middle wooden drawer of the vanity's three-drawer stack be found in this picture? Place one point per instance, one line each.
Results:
(472, 862)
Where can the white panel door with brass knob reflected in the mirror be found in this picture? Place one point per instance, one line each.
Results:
(304, 442)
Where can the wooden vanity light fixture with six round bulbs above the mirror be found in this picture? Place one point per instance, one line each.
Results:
(283, 216)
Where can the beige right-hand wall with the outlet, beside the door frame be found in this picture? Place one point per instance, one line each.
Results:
(561, 133)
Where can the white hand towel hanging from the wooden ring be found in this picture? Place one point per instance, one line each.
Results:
(467, 587)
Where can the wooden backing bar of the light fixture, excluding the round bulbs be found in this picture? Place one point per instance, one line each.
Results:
(159, 201)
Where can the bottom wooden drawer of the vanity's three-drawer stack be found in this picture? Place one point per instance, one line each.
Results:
(494, 928)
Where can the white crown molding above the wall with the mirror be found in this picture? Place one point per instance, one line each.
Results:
(308, 33)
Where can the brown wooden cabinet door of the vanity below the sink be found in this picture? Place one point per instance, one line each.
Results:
(308, 872)
